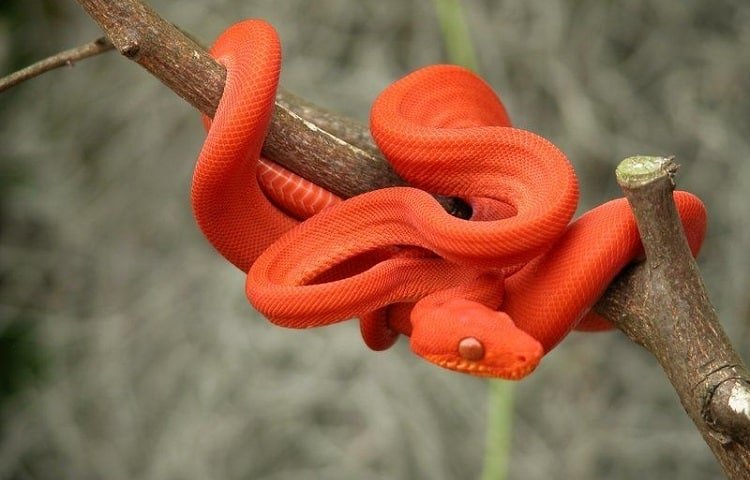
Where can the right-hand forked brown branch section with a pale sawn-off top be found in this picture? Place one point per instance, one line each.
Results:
(668, 311)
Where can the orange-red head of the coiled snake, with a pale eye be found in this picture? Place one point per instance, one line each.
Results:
(468, 337)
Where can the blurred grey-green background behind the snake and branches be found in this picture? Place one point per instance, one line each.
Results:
(129, 351)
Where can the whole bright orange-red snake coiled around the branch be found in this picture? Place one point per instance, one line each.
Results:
(487, 296)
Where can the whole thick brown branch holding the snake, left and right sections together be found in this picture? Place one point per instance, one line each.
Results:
(660, 304)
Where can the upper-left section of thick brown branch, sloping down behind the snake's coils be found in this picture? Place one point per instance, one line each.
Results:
(332, 151)
